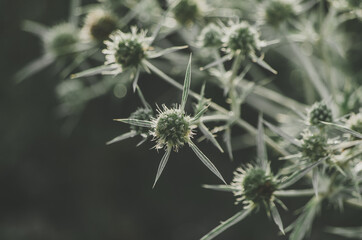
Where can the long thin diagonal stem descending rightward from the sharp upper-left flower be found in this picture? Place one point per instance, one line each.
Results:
(238, 121)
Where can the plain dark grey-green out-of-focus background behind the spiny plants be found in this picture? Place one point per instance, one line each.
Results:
(57, 185)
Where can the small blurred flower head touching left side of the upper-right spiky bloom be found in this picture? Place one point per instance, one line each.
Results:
(211, 36)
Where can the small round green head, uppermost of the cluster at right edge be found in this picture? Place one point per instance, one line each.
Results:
(320, 112)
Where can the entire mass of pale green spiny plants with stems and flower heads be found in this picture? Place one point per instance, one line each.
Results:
(314, 126)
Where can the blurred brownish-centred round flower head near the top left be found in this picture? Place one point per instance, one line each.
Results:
(99, 24)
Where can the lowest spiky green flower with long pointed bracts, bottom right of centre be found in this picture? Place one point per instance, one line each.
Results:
(255, 186)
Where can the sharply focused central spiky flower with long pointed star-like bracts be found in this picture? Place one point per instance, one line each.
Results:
(172, 129)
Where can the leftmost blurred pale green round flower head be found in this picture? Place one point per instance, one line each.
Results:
(61, 39)
